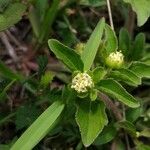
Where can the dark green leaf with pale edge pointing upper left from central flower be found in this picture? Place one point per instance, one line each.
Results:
(69, 57)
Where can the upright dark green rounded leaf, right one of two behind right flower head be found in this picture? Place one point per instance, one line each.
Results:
(138, 47)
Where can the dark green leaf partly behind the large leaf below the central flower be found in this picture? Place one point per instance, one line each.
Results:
(106, 135)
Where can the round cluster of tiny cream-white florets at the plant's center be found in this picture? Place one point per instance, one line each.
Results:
(82, 82)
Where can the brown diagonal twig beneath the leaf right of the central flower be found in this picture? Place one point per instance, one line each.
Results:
(110, 105)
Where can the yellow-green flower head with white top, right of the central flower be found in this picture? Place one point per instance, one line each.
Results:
(115, 60)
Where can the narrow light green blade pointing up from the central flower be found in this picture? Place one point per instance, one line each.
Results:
(92, 45)
